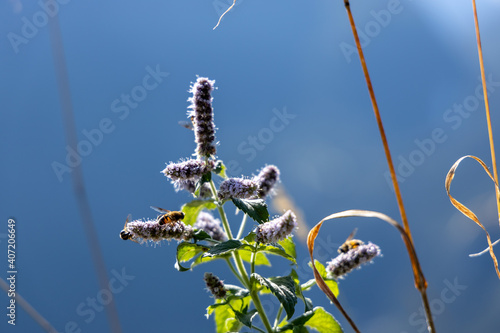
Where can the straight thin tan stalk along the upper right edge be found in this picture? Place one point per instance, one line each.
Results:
(487, 105)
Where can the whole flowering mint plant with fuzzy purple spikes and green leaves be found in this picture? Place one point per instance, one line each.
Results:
(203, 237)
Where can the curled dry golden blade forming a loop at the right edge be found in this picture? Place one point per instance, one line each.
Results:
(466, 211)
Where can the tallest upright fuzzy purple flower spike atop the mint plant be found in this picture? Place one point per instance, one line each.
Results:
(202, 116)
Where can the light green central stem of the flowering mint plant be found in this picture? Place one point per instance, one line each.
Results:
(240, 270)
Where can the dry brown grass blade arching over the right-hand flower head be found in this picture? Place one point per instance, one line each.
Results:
(413, 257)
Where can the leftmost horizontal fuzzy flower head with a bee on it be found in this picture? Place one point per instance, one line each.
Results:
(149, 230)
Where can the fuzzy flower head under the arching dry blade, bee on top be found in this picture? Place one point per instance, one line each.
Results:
(354, 258)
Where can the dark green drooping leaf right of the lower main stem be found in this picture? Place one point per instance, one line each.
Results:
(283, 288)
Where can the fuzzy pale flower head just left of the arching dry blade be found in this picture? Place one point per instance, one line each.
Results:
(277, 229)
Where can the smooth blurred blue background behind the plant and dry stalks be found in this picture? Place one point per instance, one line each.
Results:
(266, 57)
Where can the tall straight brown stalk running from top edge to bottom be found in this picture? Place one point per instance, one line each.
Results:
(420, 282)
